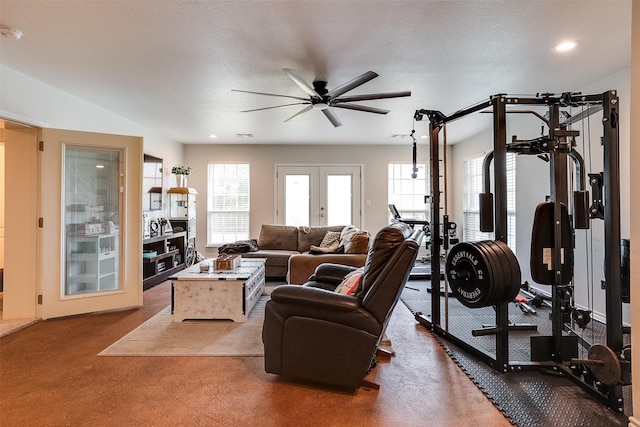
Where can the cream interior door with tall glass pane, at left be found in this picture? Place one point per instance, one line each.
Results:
(91, 199)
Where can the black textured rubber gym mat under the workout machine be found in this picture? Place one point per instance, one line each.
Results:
(527, 398)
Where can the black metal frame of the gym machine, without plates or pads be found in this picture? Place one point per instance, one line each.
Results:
(606, 206)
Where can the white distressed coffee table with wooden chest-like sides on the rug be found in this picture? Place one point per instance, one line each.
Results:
(217, 294)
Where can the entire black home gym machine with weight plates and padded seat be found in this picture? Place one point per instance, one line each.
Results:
(487, 274)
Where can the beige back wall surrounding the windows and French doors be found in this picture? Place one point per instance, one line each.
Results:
(263, 158)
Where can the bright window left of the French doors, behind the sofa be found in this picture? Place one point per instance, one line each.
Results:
(227, 203)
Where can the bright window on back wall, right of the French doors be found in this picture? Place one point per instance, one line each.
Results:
(407, 193)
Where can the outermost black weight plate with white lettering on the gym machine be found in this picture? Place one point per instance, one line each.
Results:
(468, 275)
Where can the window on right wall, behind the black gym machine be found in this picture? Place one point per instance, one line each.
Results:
(471, 206)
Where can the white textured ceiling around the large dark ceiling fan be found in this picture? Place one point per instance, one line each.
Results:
(172, 65)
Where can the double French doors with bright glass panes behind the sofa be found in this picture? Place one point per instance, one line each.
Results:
(319, 195)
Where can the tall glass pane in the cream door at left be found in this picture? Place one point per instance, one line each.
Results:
(91, 200)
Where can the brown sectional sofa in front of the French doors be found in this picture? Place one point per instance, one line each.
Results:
(286, 249)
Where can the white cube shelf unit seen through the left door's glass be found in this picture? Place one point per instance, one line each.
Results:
(92, 263)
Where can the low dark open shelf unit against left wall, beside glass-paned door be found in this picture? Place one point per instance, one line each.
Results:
(169, 257)
